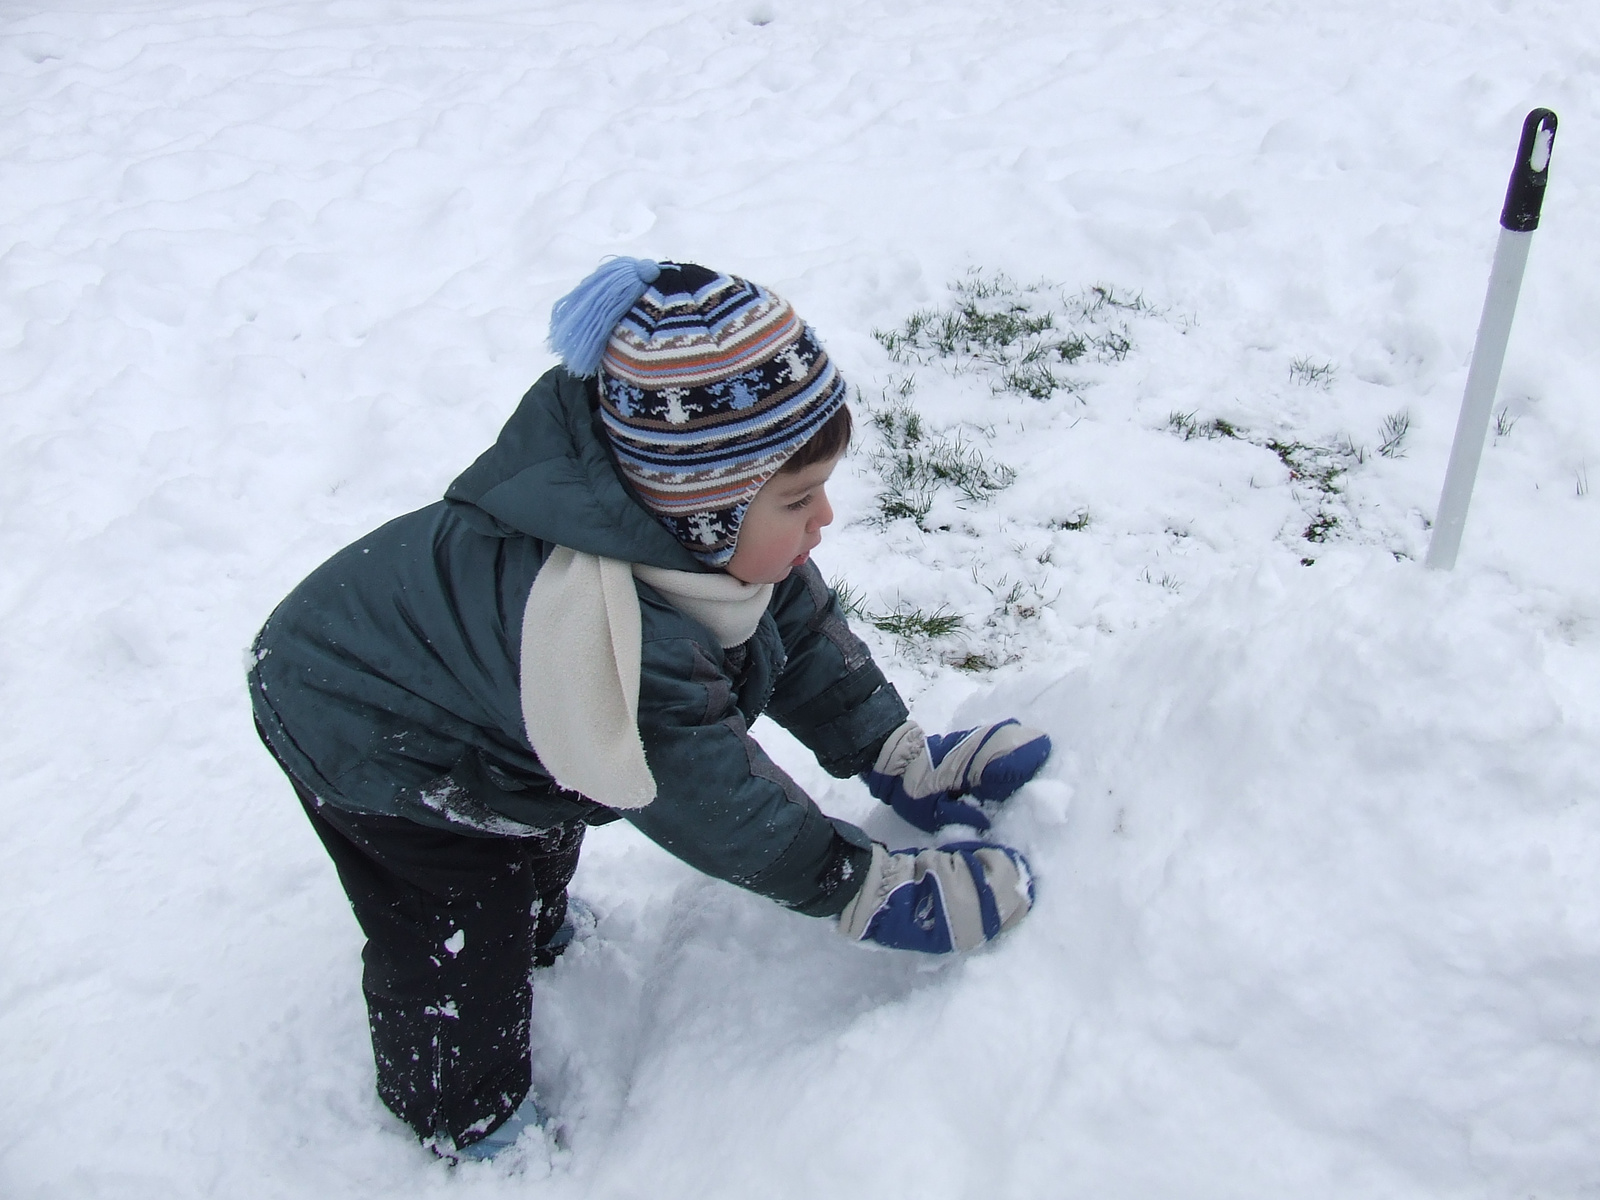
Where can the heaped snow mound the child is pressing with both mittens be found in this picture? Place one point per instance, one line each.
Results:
(1318, 916)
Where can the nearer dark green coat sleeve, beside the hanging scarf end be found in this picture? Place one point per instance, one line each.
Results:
(722, 806)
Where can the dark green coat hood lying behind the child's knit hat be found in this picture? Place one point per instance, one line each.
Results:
(553, 476)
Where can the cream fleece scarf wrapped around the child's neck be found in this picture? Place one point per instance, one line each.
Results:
(582, 658)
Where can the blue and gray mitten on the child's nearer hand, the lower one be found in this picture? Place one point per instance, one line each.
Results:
(956, 897)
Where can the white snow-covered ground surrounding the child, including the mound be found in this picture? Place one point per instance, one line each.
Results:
(1319, 911)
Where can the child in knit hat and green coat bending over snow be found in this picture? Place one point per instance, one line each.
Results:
(582, 631)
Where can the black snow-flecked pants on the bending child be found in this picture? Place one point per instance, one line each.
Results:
(454, 929)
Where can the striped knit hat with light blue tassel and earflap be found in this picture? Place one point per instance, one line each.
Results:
(708, 386)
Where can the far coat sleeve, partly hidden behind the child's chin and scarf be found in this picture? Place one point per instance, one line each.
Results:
(831, 695)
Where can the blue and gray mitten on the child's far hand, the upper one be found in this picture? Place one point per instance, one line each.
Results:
(926, 778)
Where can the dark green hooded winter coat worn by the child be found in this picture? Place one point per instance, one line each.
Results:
(388, 682)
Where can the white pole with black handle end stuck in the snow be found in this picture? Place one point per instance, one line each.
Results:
(1519, 218)
